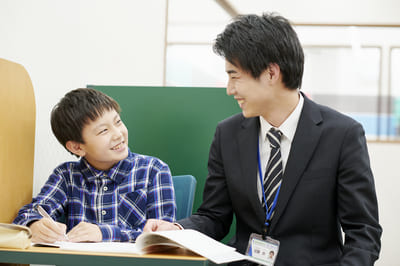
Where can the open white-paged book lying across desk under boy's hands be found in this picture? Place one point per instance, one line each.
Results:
(155, 242)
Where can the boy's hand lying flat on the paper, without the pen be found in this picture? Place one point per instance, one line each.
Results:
(85, 232)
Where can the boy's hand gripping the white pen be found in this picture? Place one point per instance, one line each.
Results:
(47, 231)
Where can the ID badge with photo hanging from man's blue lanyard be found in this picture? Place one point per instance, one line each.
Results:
(262, 251)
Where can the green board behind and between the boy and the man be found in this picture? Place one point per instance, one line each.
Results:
(175, 124)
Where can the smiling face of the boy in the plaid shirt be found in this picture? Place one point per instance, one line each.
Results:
(105, 141)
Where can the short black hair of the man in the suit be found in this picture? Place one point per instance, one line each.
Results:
(253, 42)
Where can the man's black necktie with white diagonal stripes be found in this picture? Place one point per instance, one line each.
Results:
(273, 175)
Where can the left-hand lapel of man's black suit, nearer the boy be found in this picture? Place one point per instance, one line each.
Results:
(247, 143)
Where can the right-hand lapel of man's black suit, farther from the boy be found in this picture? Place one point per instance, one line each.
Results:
(305, 141)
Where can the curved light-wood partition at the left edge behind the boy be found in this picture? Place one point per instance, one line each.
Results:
(17, 139)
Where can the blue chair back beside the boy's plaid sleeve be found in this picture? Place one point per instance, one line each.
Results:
(185, 187)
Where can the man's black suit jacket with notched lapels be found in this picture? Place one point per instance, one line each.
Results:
(327, 187)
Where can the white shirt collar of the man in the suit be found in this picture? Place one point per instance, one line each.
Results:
(288, 127)
